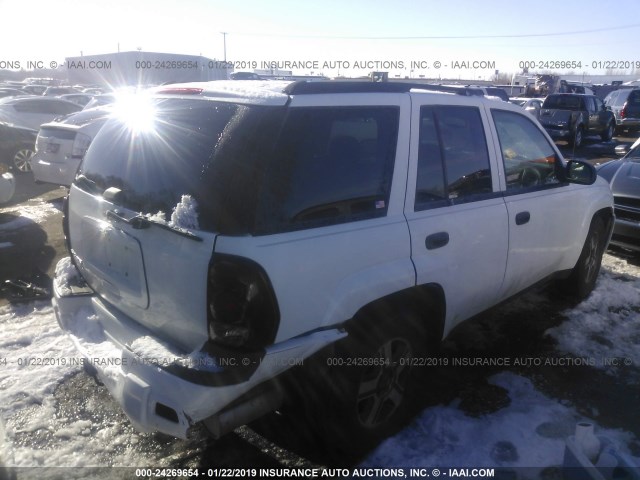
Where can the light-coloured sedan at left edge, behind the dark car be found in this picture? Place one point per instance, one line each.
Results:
(33, 111)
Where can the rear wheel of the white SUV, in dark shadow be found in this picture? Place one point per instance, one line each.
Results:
(368, 390)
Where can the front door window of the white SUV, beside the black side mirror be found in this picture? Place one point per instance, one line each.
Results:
(529, 159)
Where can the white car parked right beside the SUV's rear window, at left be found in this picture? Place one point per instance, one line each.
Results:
(60, 146)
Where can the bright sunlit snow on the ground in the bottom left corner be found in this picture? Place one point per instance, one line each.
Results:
(36, 358)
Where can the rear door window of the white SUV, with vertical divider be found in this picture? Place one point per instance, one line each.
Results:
(453, 160)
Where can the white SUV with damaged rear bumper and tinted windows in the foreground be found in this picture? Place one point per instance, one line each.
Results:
(224, 232)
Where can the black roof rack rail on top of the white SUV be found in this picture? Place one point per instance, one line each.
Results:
(337, 86)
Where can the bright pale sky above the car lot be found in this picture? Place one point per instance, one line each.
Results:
(334, 31)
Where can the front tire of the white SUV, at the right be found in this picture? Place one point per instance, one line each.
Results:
(584, 275)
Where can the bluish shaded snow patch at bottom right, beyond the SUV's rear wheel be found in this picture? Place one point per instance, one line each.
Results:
(530, 432)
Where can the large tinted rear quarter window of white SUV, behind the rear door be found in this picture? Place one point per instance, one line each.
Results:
(331, 165)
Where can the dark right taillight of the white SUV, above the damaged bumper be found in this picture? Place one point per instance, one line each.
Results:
(242, 309)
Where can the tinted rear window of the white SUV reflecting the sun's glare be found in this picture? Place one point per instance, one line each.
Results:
(213, 151)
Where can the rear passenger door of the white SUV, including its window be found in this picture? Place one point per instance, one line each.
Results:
(456, 214)
